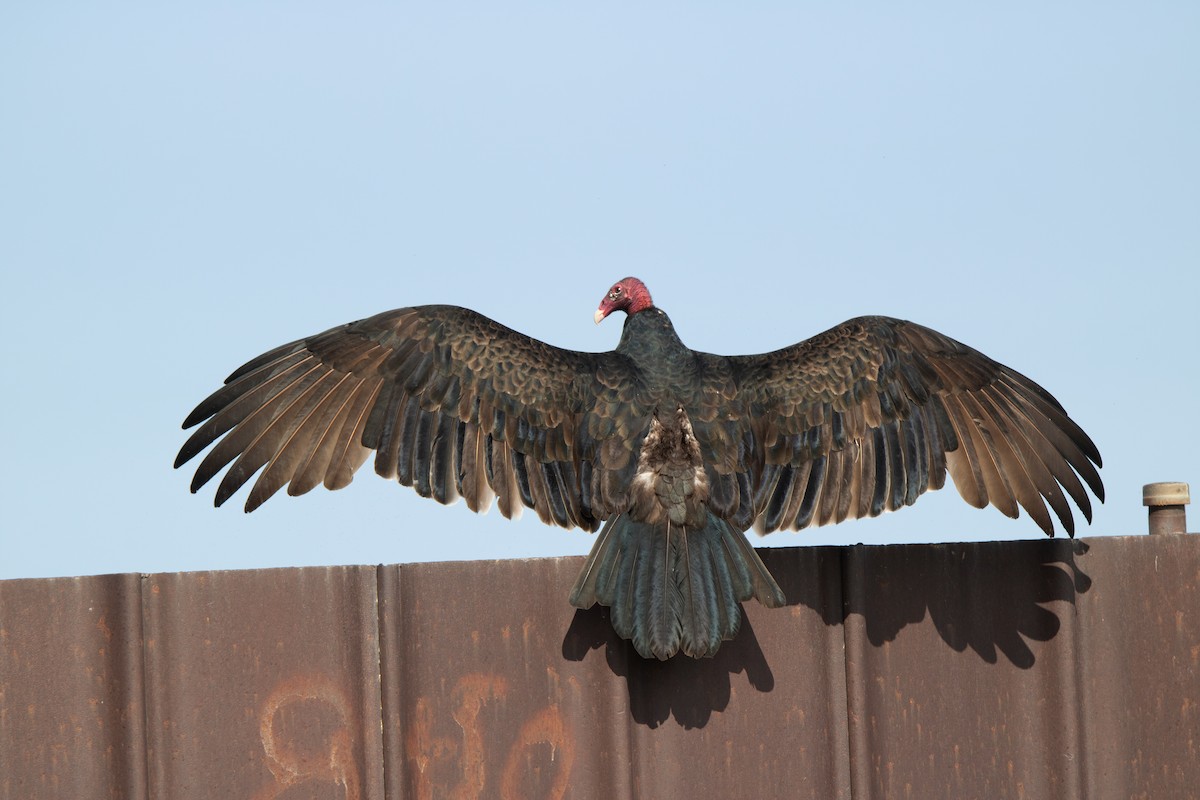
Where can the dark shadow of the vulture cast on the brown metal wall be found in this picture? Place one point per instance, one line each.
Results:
(989, 598)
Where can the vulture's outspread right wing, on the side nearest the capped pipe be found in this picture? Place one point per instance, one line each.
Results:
(872, 414)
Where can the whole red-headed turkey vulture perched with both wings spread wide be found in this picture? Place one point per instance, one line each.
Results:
(674, 453)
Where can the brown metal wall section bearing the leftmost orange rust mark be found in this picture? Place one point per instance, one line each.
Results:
(263, 684)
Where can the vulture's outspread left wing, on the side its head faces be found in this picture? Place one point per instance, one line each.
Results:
(451, 402)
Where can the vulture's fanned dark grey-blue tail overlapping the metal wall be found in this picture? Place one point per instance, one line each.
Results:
(673, 588)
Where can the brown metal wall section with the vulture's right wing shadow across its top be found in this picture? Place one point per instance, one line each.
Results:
(964, 671)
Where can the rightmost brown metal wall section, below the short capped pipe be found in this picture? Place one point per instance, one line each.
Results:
(1138, 637)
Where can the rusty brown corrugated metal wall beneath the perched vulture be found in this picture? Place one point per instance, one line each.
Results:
(1021, 670)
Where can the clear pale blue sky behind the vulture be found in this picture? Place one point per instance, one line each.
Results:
(183, 188)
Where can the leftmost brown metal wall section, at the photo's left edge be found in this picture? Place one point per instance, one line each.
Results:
(71, 682)
